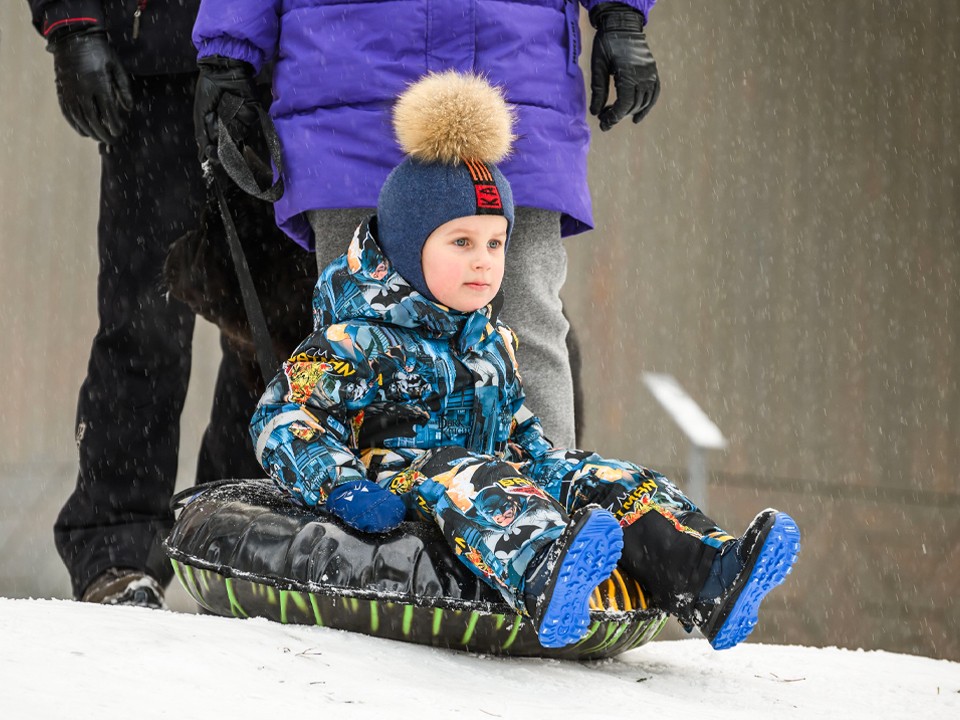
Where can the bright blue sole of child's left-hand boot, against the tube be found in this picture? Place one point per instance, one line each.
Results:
(591, 557)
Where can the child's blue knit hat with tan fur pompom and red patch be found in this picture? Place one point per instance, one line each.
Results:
(453, 127)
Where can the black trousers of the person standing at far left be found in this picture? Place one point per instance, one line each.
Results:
(128, 412)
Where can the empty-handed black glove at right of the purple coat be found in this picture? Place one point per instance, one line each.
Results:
(620, 49)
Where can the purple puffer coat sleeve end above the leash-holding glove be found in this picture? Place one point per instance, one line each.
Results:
(247, 30)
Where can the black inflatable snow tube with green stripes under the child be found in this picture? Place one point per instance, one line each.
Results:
(241, 549)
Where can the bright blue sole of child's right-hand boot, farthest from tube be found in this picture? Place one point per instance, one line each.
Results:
(770, 568)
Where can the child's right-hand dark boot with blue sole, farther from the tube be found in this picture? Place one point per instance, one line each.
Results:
(744, 571)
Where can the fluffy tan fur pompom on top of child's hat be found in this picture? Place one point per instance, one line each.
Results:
(448, 117)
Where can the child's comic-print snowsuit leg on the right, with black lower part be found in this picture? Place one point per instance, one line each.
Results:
(669, 545)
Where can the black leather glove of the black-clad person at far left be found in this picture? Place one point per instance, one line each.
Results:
(92, 85)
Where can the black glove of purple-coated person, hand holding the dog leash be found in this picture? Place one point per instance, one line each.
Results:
(221, 76)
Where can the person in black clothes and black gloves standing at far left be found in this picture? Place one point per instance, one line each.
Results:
(125, 74)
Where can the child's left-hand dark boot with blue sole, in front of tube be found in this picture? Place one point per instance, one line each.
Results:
(559, 581)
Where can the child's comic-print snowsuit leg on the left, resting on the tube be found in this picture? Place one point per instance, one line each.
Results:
(494, 519)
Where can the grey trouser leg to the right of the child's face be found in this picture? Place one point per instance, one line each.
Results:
(535, 273)
